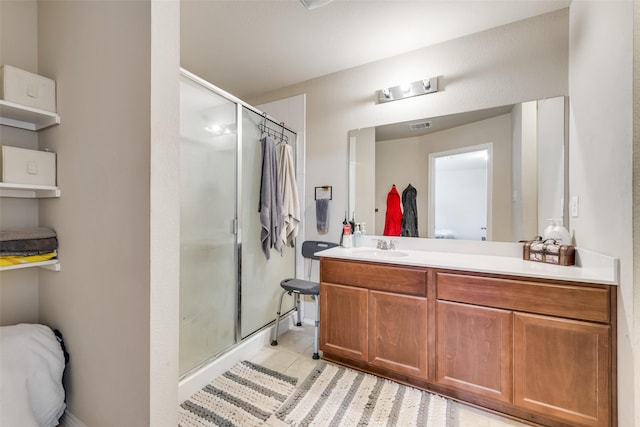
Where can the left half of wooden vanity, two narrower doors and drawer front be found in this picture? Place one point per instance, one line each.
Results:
(375, 315)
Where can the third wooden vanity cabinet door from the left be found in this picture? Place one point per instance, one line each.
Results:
(474, 349)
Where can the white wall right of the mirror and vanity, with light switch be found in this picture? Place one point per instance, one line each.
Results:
(601, 159)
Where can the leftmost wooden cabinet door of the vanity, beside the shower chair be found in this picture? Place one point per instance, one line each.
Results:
(343, 321)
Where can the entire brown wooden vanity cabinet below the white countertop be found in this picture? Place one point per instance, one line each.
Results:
(539, 350)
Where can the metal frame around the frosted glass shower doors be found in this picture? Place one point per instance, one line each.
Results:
(237, 222)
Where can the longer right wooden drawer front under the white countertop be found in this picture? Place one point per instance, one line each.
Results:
(563, 300)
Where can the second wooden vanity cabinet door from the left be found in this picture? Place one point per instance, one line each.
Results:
(398, 333)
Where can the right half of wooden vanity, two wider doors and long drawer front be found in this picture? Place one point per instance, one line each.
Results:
(542, 346)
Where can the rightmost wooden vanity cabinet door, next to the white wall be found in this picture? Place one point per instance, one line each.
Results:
(561, 368)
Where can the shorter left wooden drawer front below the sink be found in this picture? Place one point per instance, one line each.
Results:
(396, 279)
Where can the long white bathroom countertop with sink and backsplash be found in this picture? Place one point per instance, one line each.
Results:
(488, 257)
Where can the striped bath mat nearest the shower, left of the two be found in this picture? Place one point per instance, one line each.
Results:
(245, 395)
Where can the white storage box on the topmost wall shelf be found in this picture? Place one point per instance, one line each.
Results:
(29, 89)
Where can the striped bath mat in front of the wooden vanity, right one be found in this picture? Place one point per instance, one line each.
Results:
(337, 396)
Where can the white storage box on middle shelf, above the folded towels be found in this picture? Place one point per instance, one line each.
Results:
(22, 166)
